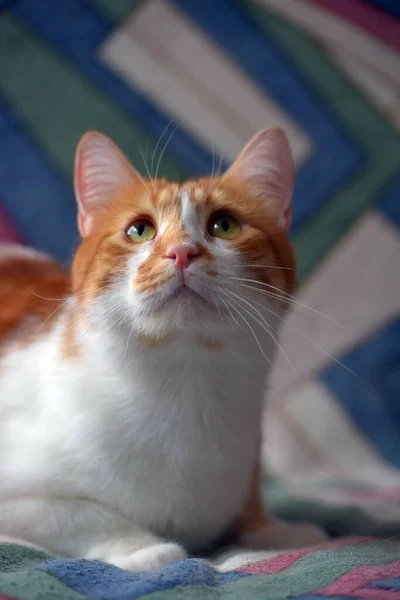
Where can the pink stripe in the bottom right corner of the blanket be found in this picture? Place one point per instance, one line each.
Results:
(359, 578)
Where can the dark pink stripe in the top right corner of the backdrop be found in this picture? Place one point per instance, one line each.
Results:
(378, 23)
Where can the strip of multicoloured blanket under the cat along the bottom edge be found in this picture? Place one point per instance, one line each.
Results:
(350, 568)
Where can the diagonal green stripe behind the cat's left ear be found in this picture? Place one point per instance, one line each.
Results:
(57, 104)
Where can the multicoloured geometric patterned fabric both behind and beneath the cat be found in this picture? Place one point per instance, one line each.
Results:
(181, 85)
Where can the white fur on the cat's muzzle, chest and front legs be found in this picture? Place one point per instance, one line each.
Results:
(128, 453)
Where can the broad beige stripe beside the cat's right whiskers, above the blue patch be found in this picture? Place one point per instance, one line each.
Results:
(355, 286)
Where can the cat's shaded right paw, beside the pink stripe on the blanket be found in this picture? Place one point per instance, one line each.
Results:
(281, 535)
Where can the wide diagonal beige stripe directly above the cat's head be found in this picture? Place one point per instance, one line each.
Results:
(161, 52)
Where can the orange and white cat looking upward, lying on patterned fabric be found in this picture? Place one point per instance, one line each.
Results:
(132, 388)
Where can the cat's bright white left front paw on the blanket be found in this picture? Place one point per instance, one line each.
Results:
(151, 558)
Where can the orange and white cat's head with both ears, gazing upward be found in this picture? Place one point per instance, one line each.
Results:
(160, 257)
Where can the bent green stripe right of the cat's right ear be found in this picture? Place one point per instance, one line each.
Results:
(365, 123)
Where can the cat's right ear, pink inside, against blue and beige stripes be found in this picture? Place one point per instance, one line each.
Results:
(265, 167)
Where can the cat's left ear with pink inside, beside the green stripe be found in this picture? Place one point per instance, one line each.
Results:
(101, 170)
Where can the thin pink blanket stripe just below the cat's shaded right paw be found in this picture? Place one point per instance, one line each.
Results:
(284, 561)
